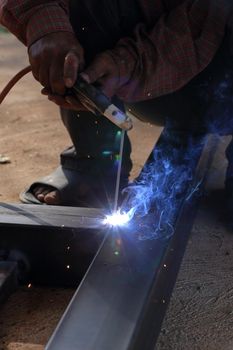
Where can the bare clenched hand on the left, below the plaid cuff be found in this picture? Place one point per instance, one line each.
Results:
(56, 60)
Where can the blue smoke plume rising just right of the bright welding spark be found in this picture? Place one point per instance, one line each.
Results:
(166, 181)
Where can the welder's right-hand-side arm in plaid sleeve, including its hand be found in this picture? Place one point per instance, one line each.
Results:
(161, 60)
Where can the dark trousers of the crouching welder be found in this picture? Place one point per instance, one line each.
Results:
(204, 105)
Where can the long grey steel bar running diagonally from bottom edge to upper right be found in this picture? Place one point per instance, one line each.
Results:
(121, 302)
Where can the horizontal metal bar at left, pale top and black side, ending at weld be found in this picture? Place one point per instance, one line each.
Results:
(52, 245)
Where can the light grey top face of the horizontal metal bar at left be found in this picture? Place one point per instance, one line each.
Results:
(47, 216)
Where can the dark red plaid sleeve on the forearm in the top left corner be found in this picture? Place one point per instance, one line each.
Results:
(30, 22)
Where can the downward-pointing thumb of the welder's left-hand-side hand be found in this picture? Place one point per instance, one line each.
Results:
(71, 68)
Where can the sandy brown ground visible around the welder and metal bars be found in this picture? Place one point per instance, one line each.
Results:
(200, 314)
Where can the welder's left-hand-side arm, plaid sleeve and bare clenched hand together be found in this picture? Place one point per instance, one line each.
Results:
(55, 54)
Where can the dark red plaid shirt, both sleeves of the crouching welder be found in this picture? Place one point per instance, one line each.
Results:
(177, 40)
